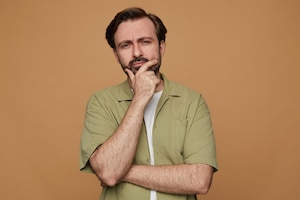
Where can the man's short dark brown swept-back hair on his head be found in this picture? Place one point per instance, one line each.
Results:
(134, 13)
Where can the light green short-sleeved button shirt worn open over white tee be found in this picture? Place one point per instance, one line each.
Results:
(182, 133)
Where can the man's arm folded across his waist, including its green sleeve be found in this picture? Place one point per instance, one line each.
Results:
(199, 147)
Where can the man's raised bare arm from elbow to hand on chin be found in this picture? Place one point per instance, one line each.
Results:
(112, 160)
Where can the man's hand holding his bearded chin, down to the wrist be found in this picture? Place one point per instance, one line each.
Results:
(144, 82)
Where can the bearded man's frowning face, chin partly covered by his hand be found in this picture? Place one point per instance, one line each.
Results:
(136, 43)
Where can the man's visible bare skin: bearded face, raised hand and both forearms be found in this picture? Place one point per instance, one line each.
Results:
(112, 161)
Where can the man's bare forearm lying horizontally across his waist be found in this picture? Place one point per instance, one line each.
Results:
(174, 179)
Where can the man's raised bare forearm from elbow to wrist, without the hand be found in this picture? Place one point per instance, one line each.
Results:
(112, 160)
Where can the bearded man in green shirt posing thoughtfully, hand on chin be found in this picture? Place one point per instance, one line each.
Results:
(147, 138)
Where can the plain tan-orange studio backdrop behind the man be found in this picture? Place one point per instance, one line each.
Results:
(243, 56)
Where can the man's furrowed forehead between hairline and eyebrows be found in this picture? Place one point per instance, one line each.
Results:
(135, 29)
